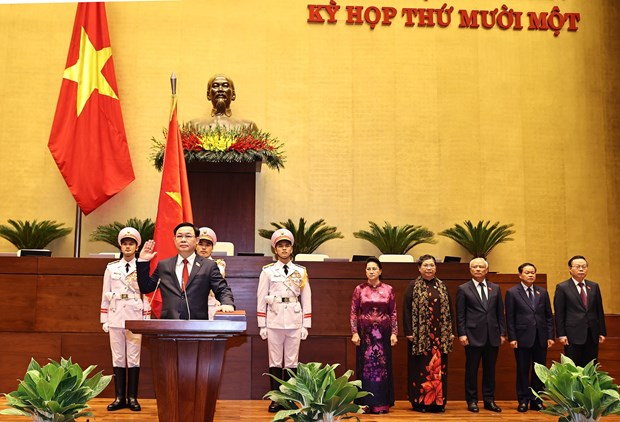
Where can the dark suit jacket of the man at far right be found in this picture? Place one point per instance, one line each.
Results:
(572, 319)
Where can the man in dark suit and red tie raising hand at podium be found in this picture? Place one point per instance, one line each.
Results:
(185, 280)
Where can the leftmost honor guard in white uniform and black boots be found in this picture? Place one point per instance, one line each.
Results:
(121, 300)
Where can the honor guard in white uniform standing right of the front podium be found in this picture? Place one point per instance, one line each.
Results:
(284, 309)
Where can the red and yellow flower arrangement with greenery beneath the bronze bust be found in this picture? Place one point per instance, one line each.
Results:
(222, 145)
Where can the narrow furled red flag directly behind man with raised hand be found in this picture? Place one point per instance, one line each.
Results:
(174, 203)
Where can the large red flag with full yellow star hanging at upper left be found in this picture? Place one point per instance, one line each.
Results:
(88, 139)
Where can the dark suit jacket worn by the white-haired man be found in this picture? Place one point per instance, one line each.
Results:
(475, 321)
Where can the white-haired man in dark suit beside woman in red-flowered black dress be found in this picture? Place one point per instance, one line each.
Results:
(482, 329)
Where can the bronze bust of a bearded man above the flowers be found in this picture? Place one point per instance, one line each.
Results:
(221, 92)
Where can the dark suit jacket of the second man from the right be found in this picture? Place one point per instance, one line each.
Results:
(527, 324)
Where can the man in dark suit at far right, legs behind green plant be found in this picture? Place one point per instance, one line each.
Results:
(579, 315)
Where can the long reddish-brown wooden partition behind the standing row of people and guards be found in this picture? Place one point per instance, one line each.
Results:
(55, 310)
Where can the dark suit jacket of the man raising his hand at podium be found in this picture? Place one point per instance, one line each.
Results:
(203, 277)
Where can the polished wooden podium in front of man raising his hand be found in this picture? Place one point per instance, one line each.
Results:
(187, 359)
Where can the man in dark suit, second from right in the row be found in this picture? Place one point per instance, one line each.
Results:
(530, 332)
